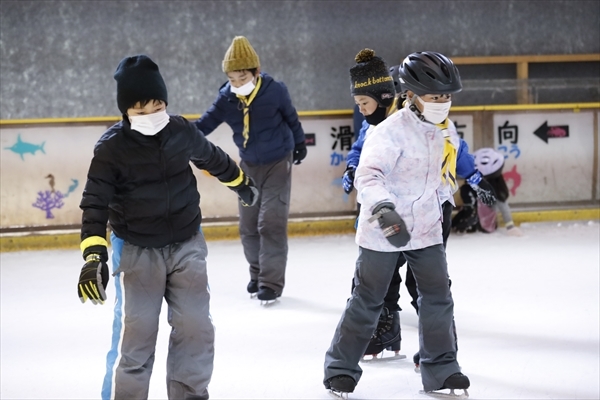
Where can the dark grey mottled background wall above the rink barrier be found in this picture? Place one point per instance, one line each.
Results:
(57, 57)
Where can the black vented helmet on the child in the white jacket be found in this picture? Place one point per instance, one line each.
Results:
(428, 72)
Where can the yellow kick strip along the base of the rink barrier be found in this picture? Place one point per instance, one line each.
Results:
(296, 228)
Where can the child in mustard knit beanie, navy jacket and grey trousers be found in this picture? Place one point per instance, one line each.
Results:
(269, 136)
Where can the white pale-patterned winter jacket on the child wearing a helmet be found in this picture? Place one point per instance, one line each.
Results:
(401, 163)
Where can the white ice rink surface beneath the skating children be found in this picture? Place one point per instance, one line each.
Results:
(526, 310)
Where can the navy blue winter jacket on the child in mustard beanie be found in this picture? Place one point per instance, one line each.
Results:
(274, 125)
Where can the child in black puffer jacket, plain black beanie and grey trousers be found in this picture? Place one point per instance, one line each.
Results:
(141, 182)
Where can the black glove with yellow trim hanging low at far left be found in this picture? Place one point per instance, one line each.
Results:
(94, 274)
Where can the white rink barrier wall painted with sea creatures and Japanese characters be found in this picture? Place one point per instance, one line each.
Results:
(41, 157)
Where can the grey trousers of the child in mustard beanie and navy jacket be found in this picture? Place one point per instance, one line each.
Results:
(263, 227)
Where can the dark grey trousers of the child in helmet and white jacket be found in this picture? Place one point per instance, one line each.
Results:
(372, 276)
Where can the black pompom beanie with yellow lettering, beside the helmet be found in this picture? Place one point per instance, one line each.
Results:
(371, 77)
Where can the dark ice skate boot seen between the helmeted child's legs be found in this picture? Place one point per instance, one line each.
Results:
(387, 336)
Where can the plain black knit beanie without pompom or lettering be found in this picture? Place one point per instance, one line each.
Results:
(138, 79)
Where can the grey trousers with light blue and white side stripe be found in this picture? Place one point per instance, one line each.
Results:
(143, 277)
